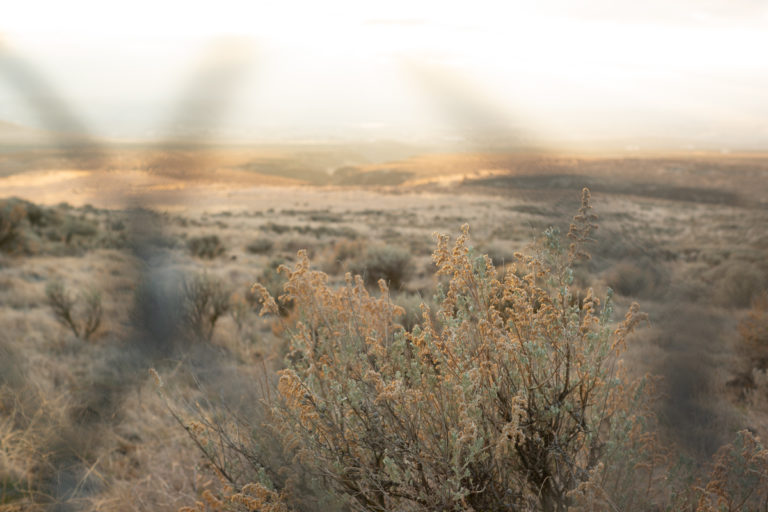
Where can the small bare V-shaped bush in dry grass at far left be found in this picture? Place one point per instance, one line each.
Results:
(82, 315)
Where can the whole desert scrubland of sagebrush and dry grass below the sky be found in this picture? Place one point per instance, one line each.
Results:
(141, 369)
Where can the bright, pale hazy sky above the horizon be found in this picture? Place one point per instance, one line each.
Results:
(693, 70)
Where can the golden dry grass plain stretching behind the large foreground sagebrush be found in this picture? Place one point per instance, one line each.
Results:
(82, 426)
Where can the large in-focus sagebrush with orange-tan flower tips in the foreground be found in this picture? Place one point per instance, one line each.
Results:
(514, 398)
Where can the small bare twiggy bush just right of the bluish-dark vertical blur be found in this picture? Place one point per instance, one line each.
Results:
(205, 300)
